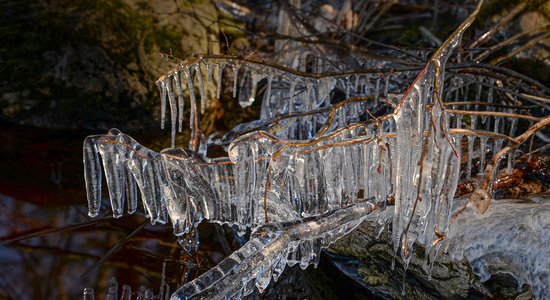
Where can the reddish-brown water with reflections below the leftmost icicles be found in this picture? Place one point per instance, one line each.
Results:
(54, 252)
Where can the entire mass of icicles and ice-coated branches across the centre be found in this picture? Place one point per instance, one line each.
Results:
(309, 171)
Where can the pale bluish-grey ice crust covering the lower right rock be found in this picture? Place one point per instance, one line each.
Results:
(517, 241)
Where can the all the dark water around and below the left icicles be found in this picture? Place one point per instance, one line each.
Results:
(51, 249)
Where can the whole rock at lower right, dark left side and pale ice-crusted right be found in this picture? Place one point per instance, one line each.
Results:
(491, 262)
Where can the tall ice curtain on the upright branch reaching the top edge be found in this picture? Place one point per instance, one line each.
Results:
(427, 166)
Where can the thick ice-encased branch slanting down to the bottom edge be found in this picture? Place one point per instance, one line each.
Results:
(270, 249)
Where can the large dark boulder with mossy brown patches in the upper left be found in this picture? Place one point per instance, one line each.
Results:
(93, 64)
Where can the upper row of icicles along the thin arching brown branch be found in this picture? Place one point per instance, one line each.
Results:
(288, 91)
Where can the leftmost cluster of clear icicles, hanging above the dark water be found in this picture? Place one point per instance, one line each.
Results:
(127, 166)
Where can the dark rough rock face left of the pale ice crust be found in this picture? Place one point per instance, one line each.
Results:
(373, 268)
